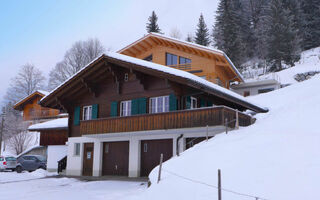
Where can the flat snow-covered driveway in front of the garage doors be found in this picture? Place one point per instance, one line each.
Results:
(33, 186)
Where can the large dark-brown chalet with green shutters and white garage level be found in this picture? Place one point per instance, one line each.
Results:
(124, 112)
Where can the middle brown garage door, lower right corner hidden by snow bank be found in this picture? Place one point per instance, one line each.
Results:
(150, 154)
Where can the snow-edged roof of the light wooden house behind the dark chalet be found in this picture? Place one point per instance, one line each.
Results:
(190, 44)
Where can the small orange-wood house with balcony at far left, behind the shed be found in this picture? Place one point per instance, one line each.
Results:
(32, 111)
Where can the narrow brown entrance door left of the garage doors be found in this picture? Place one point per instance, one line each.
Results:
(87, 159)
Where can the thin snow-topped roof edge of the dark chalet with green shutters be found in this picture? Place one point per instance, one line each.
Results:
(176, 72)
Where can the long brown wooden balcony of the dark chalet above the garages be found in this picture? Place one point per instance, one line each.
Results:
(211, 116)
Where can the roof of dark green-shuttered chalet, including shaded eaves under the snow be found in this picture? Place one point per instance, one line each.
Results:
(172, 74)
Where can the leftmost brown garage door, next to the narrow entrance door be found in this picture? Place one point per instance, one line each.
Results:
(115, 158)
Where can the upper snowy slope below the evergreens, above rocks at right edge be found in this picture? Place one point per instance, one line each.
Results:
(310, 61)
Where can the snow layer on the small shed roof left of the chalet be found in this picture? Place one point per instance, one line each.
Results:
(60, 123)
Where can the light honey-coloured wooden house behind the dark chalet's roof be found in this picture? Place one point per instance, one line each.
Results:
(205, 62)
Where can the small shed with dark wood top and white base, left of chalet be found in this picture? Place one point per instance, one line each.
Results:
(53, 138)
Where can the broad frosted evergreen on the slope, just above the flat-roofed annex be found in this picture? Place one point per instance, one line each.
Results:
(282, 39)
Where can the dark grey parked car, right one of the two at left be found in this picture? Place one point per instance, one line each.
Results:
(31, 163)
